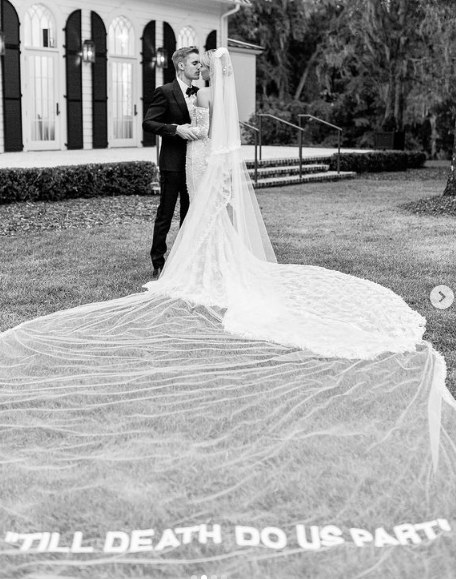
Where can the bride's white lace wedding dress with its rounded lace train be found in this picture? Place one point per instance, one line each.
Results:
(324, 311)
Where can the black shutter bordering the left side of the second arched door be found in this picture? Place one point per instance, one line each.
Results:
(99, 84)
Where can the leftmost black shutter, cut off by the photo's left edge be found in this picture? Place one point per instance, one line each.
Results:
(11, 78)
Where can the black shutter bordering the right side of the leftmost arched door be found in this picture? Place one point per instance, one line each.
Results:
(73, 49)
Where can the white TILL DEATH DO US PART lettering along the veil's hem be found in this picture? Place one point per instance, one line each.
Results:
(309, 538)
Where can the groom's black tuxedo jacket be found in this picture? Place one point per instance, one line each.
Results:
(168, 109)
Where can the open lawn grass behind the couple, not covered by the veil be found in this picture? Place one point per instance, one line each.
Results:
(356, 227)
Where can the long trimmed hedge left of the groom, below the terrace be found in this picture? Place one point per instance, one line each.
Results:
(68, 182)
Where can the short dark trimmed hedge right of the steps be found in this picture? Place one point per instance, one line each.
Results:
(376, 161)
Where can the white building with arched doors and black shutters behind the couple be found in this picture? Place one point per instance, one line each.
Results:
(53, 98)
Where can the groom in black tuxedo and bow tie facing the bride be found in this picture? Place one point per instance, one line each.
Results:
(168, 116)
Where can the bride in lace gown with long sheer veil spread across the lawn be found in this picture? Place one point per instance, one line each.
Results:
(234, 391)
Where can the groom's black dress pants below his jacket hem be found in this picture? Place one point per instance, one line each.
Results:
(172, 185)
